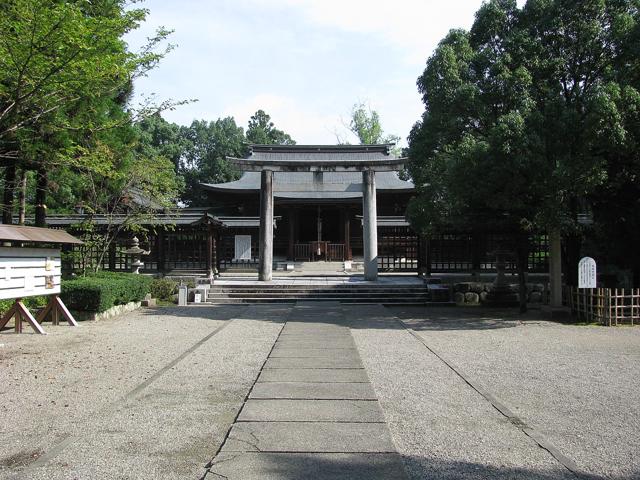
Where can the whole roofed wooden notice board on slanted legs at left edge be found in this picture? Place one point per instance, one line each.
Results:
(32, 271)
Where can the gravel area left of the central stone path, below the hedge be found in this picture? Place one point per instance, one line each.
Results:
(78, 383)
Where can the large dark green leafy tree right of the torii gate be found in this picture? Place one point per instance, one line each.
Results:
(518, 111)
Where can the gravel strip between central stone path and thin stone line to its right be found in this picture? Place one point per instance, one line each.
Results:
(443, 428)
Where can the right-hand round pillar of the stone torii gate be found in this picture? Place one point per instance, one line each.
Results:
(370, 224)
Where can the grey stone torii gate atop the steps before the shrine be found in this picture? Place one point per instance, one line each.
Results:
(369, 210)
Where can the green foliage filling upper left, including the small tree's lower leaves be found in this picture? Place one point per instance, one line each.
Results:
(66, 77)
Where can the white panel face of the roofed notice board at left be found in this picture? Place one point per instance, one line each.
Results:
(26, 272)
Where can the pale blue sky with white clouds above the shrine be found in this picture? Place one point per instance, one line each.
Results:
(305, 62)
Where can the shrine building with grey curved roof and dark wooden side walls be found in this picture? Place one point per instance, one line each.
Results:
(302, 208)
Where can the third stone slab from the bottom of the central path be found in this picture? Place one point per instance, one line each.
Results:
(311, 411)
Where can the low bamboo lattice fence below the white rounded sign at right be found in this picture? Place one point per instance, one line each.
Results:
(609, 306)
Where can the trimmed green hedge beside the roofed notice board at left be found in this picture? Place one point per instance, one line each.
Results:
(100, 291)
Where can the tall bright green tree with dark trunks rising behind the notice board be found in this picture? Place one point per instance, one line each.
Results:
(63, 69)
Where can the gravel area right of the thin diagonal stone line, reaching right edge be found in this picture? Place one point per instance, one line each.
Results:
(579, 386)
